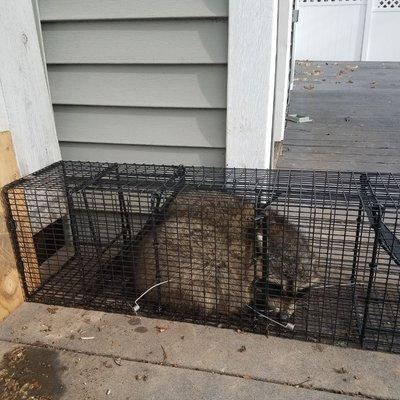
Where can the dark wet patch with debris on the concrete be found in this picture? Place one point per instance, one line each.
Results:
(31, 373)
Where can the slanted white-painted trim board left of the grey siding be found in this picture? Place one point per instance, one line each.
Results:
(26, 99)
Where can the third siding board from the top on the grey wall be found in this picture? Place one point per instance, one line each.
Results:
(187, 86)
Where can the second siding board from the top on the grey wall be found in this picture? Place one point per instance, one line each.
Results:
(140, 42)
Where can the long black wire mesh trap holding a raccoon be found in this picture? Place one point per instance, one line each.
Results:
(309, 255)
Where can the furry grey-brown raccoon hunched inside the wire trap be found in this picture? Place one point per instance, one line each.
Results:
(207, 246)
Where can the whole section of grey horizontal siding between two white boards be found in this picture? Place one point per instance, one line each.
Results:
(138, 81)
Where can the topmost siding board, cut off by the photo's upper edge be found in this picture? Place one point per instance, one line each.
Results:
(55, 10)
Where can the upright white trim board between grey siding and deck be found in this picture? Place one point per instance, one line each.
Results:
(251, 82)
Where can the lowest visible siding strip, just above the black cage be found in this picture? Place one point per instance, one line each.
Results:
(143, 154)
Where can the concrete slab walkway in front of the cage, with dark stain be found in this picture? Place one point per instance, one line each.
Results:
(61, 353)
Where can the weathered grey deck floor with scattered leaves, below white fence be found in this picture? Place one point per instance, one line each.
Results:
(355, 109)
